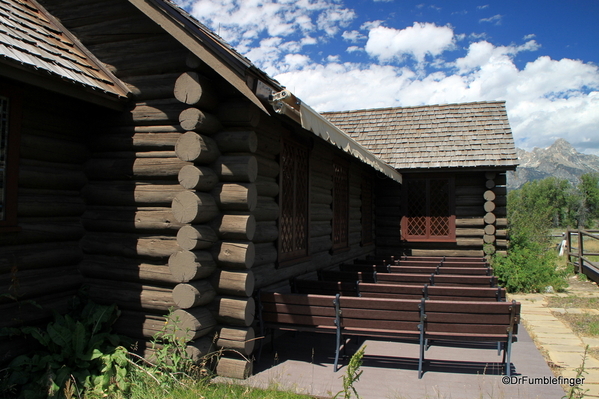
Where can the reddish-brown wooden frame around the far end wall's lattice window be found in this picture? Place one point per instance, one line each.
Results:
(427, 237)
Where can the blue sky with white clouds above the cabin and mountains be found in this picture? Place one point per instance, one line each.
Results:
(539, 57)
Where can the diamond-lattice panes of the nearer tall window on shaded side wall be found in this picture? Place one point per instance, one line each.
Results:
(293, 223)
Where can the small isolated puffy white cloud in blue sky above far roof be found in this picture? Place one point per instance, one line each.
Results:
(418, 40)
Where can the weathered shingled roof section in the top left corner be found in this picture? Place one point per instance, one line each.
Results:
(32, 40)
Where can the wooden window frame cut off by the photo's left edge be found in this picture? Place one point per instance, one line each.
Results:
(9, 194)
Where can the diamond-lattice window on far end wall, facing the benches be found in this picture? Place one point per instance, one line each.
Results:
(428, 206)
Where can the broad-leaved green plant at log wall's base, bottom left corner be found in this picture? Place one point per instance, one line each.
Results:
(78, 354)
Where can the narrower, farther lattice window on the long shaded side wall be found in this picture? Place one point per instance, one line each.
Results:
(340, 225)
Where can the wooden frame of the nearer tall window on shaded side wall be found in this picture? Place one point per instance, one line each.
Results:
(288, 258)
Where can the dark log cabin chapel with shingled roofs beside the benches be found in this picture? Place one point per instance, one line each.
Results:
(144, 158)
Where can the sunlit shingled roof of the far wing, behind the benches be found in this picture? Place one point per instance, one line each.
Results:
(467, 135)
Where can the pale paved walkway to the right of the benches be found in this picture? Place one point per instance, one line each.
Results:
(562, 348)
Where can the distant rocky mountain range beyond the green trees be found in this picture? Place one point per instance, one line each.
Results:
(560, 160)
